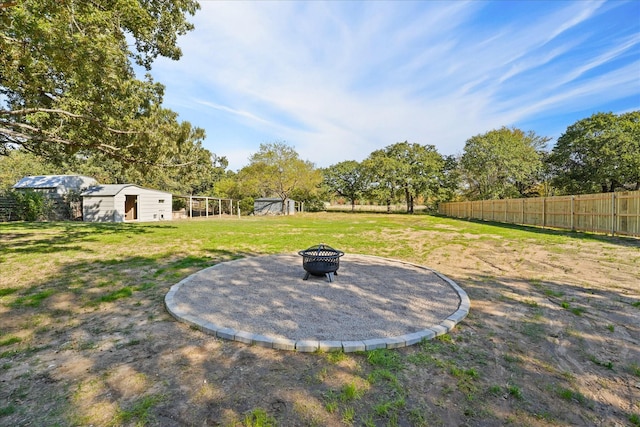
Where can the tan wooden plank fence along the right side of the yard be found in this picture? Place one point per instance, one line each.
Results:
(610, 213)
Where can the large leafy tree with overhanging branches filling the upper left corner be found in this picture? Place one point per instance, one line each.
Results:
(67, 83)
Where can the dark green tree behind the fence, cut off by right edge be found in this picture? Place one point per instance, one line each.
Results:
(599, 153)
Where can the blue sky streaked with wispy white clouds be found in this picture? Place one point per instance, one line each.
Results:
(338, 80)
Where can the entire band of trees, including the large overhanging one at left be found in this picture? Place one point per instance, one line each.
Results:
(71, 103)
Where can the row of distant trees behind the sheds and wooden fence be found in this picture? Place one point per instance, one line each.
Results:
(597, 154)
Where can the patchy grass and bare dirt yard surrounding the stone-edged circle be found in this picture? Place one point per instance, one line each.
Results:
(552, 338)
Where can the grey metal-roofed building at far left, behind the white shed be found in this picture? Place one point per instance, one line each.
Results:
(62, 190)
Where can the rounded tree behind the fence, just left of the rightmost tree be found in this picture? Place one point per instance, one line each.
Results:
(502, 163)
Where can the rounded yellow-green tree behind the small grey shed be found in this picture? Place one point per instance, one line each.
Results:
(276, 170)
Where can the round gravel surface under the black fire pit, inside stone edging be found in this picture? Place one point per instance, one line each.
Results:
(370, 298)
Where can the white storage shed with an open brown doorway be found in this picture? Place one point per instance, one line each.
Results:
(125, 202)
